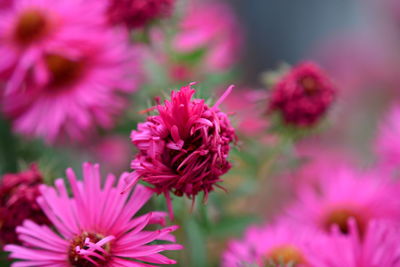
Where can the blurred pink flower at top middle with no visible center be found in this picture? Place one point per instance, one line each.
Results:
(210, 26)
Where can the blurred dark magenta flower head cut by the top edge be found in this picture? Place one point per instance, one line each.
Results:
(137, 13)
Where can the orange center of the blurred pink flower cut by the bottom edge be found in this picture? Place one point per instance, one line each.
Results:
(286, 254)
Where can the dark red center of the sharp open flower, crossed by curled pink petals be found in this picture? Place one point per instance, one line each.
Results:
(89, 250)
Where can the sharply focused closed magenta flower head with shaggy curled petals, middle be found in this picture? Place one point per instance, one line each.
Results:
(183, 149)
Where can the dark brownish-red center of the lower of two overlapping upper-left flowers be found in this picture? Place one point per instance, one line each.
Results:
(63, 71)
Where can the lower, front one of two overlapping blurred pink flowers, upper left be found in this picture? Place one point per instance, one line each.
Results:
(74, 87)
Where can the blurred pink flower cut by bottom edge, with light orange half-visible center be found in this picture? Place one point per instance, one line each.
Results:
(281, 244)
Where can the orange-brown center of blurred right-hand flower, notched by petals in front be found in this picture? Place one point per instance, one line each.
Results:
(340, 217)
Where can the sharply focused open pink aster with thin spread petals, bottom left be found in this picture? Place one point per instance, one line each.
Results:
(95, 227)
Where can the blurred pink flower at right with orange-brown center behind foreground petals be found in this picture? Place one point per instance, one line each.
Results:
(344, 194)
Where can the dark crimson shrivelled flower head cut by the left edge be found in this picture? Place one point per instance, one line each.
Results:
(18, 193)
